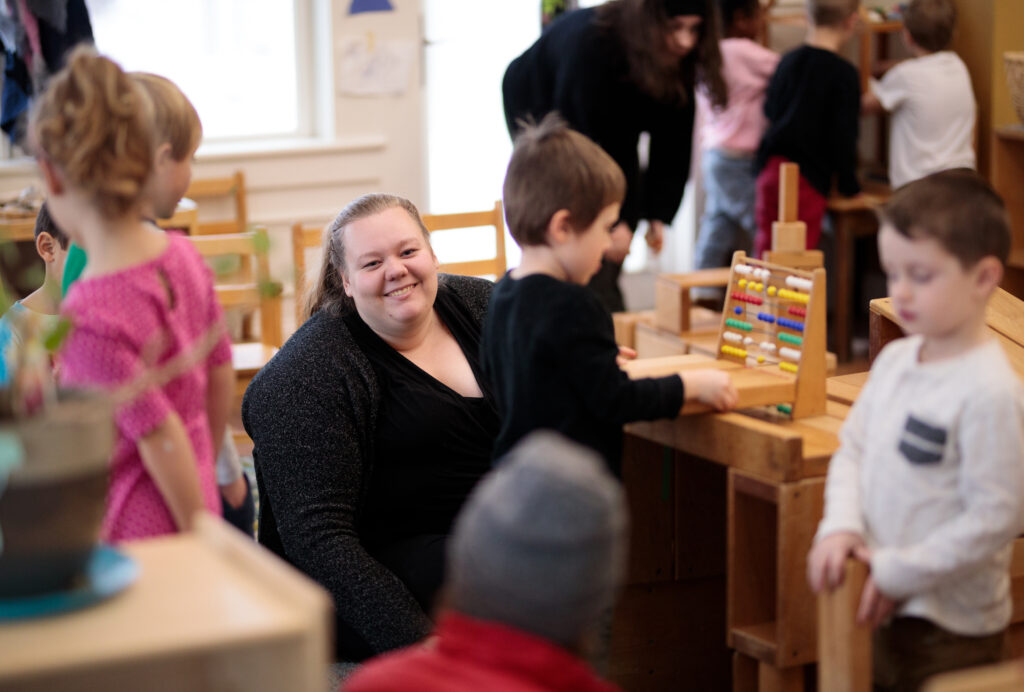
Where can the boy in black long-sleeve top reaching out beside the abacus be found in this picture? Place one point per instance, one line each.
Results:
(548, 347)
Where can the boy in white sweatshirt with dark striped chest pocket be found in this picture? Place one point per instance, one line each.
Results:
(928, 484)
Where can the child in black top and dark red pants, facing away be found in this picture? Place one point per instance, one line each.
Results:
(814, 107)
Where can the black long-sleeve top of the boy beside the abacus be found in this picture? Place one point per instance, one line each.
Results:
(549, 354)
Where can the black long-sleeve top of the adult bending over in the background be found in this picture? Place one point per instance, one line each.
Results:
(580, 69)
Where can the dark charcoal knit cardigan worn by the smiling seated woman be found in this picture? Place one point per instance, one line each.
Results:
(313, 414)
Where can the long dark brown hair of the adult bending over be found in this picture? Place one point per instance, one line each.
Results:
(643, 26)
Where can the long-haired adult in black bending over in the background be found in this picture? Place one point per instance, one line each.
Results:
(614, 72)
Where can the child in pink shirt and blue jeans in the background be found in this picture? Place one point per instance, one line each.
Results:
(731, 138)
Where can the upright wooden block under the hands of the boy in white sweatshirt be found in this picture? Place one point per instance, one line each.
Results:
(844, 646)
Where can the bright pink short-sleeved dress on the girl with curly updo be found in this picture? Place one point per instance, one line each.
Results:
(129, 324)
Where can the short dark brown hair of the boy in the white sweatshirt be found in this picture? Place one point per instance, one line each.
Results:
(956, 208)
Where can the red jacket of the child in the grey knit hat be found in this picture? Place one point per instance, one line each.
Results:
(472, 656)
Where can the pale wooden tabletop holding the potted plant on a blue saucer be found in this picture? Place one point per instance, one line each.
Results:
(211, 611)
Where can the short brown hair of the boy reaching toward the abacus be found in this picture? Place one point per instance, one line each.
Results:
(554, 168)
